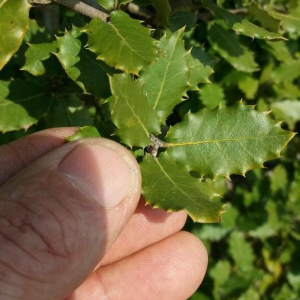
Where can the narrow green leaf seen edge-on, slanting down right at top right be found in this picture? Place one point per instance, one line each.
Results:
(240, 25)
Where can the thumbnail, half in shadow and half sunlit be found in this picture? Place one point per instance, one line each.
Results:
(100, 172)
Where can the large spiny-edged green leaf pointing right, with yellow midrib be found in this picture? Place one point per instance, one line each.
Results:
(226, 141)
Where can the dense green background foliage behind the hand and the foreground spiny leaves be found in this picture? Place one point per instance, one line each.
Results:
(255, 251)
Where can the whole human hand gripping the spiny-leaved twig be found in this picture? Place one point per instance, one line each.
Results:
(70, 229)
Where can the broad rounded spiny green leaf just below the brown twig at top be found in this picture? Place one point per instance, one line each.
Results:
(122, 43)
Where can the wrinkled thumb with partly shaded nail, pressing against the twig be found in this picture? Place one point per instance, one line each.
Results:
(61, 214)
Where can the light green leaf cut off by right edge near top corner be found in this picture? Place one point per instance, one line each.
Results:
(289, 22)
